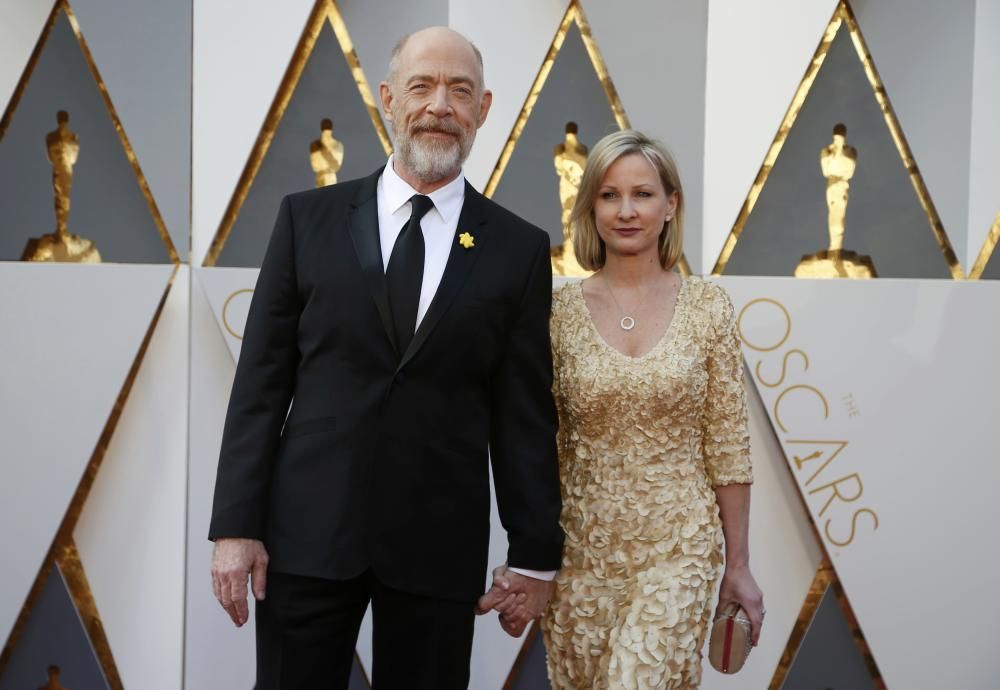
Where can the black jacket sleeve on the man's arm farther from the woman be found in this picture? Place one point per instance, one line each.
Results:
(262, 391)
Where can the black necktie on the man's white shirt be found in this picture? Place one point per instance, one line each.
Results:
(405, 273)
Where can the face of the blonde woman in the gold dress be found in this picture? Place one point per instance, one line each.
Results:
(632, 206)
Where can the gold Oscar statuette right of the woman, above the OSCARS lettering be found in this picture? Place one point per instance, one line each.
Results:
(838, 162)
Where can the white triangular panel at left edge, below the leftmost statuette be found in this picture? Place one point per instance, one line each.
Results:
(70, 336)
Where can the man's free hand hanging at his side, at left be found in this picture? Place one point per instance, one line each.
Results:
(232, 561)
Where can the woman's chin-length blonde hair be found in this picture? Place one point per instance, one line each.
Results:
(587, 243)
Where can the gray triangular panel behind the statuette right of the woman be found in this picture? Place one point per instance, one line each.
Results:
(884, 217)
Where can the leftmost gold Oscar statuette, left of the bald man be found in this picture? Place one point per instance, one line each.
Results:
(64, 148)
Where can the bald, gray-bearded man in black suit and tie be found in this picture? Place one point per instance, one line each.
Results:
(404, 319)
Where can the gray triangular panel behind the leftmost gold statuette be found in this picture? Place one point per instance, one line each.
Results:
(107, 204)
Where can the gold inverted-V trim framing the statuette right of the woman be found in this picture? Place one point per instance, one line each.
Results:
(843, 14)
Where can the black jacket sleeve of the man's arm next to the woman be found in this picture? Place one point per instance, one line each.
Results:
(523, 430)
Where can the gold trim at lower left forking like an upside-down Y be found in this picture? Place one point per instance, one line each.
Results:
(63, 550)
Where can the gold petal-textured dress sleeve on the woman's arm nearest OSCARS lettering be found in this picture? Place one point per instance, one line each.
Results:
(725, 433)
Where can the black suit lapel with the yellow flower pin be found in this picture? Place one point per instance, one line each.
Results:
(472, 220)
